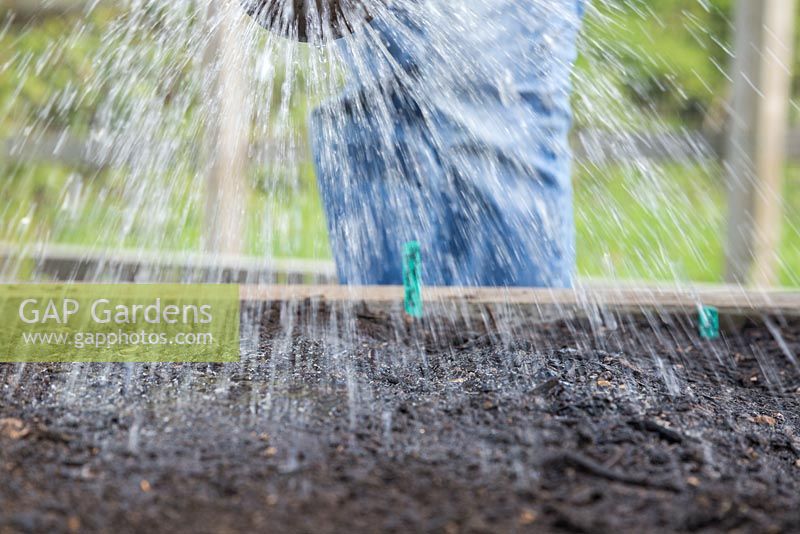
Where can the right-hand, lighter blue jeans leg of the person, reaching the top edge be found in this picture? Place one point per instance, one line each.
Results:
(504, 127)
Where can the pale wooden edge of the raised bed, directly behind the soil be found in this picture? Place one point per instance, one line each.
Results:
(728, 299)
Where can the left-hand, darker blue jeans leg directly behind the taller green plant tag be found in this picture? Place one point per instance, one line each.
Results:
(379, 197)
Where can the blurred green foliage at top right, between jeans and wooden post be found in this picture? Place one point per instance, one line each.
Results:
(674, 53)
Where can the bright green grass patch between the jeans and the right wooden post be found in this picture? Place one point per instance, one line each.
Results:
(659, 223)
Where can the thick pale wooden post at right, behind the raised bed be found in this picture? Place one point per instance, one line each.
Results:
(756, 145)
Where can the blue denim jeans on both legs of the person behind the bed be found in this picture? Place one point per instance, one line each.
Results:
(456, 138)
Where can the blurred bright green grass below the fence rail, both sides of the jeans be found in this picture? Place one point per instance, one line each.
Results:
(662, 223)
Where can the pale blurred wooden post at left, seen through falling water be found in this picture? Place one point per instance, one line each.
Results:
(228, 132)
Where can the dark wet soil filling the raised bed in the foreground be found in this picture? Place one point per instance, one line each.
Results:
(491, 422)
